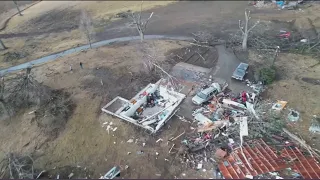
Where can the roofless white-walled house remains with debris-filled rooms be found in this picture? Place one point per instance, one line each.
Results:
(150, 109)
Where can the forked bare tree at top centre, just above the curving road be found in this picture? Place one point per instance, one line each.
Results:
(141, 25)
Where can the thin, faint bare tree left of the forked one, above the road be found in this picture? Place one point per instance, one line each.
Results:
(86, 26)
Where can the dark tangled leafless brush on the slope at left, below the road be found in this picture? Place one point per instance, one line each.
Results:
(53, 107)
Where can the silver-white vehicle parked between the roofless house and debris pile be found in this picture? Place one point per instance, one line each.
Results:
(206, 94)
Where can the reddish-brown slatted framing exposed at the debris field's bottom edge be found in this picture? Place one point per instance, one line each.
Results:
(263, 159)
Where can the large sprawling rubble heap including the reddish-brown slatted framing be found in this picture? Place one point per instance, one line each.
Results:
(223, 126)
